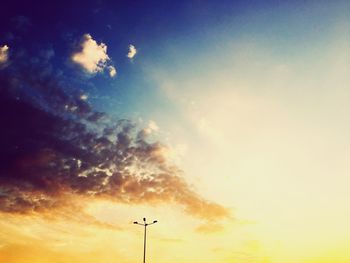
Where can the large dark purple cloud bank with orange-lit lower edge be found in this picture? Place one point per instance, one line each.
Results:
(54, 147)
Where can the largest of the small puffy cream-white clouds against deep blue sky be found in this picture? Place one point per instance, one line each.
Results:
(92, 57)
